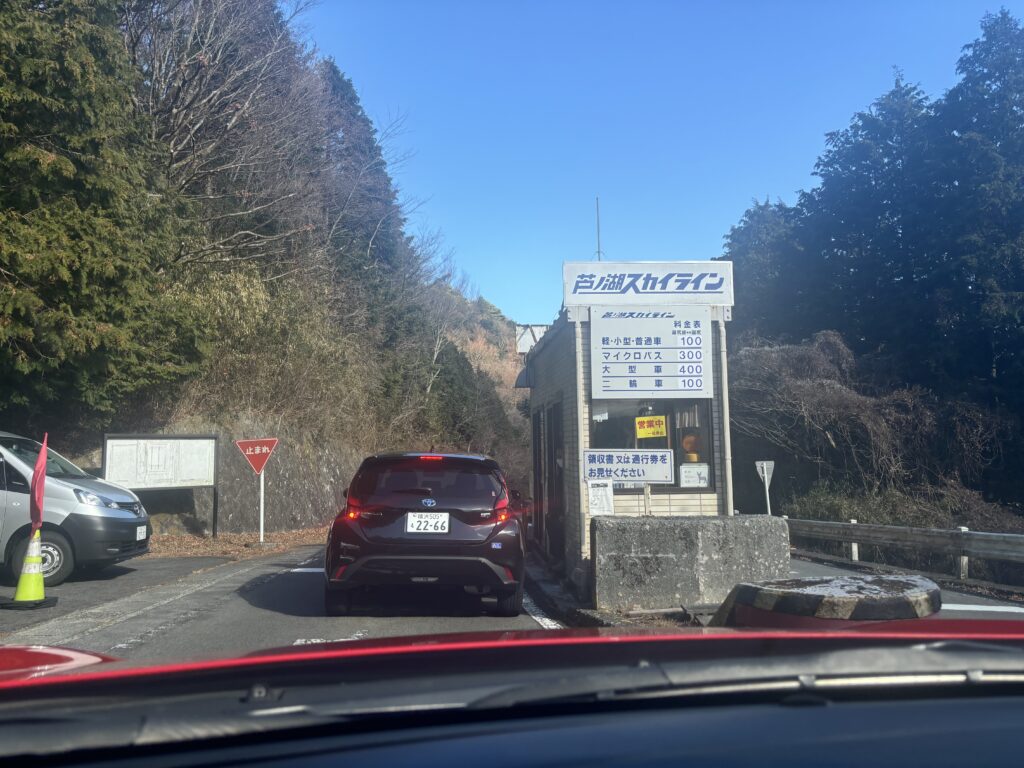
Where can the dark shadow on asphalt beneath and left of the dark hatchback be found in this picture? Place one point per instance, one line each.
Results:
(303, 595)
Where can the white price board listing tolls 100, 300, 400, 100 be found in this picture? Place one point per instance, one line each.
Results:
(636, 353)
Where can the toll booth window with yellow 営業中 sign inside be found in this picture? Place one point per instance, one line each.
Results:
(684, 426)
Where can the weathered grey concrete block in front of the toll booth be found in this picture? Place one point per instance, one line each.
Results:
(665, 563)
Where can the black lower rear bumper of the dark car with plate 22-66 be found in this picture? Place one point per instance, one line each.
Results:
(392, 570)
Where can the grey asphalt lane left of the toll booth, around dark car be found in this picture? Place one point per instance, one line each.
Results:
(240, 608)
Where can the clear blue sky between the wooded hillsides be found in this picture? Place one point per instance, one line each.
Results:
(516, 115)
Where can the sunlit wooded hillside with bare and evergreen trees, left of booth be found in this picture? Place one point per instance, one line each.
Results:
(199, 232)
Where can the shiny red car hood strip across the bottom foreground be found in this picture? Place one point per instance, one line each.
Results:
(38, 666)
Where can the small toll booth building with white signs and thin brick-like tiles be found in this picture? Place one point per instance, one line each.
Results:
(628, 401)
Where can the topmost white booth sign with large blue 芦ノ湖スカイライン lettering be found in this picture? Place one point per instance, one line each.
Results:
(648, 283)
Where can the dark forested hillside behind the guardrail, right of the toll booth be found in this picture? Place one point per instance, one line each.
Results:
(880, 321)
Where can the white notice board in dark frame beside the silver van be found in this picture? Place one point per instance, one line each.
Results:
(149, 462)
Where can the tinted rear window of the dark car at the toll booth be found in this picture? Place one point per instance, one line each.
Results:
(406, 480)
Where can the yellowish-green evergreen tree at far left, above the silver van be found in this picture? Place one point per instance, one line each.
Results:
(83, 321)
